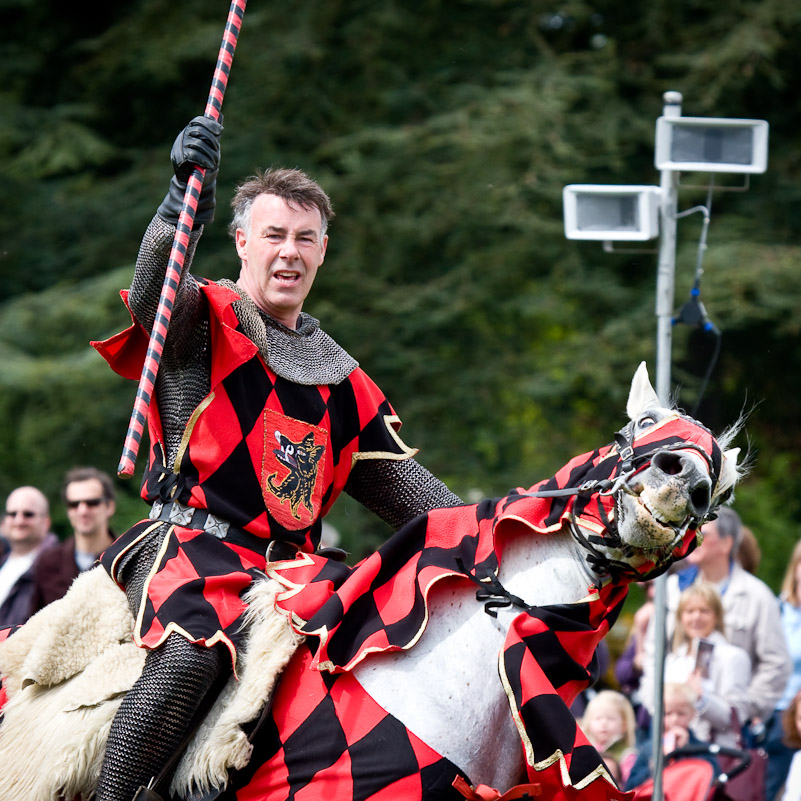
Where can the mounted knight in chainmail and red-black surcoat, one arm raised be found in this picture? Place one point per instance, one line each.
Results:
(242, 367)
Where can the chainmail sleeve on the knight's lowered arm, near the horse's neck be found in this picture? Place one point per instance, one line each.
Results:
(397, 491)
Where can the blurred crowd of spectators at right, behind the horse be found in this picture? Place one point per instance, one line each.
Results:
(731, 679)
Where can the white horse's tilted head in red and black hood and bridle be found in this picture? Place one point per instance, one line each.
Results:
(638, 503)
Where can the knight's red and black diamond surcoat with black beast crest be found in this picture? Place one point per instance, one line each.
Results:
(265, 454)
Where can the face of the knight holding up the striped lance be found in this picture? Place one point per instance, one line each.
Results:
(280, 256)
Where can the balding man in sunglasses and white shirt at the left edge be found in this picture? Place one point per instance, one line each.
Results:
(26, 527)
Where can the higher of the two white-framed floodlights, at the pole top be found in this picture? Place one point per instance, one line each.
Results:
(705, 144)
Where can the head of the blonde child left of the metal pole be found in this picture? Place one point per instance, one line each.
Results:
(609, 725)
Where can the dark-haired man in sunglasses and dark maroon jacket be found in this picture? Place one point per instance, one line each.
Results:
(89, 496)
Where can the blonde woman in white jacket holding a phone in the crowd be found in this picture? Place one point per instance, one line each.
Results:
(702, 657)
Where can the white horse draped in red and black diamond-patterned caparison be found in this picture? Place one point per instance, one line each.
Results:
(414, 683)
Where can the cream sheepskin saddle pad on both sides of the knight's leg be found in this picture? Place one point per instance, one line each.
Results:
(67, 669)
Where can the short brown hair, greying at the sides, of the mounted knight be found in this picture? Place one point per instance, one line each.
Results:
(293, 186)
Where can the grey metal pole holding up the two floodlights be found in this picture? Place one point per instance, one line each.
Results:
(665, 281)
